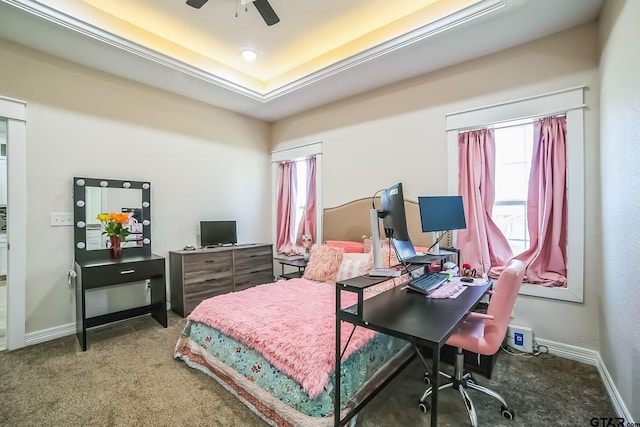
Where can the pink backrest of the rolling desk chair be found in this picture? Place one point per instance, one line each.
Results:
(501, 304)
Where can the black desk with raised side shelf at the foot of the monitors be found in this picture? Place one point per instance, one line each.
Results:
(406, 315)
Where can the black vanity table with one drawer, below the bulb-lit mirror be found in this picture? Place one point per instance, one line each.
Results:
(102, 273)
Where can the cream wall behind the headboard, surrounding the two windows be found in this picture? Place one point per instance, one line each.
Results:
(398, 134)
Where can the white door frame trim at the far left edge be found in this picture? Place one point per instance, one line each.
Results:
(15, 112)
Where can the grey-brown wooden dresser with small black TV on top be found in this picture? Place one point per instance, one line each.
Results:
(204, 273)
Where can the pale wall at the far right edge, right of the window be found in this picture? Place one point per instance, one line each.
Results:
(620, 156)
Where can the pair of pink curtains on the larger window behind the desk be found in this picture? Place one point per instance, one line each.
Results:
(483, 244)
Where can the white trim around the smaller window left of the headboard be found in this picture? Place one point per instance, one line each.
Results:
(290, 154)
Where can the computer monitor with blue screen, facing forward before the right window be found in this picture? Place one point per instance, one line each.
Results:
(441, 213)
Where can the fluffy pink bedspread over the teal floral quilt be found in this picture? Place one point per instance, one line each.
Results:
(292, 323)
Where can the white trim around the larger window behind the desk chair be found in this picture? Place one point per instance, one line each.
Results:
(567, 101)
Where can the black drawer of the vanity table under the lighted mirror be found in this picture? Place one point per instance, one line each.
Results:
(97, 276)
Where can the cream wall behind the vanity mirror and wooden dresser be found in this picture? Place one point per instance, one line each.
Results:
(202, 162)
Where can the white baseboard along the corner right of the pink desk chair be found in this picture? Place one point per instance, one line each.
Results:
(590, 357)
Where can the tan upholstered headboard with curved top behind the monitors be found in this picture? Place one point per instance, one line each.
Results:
(350, 221)
